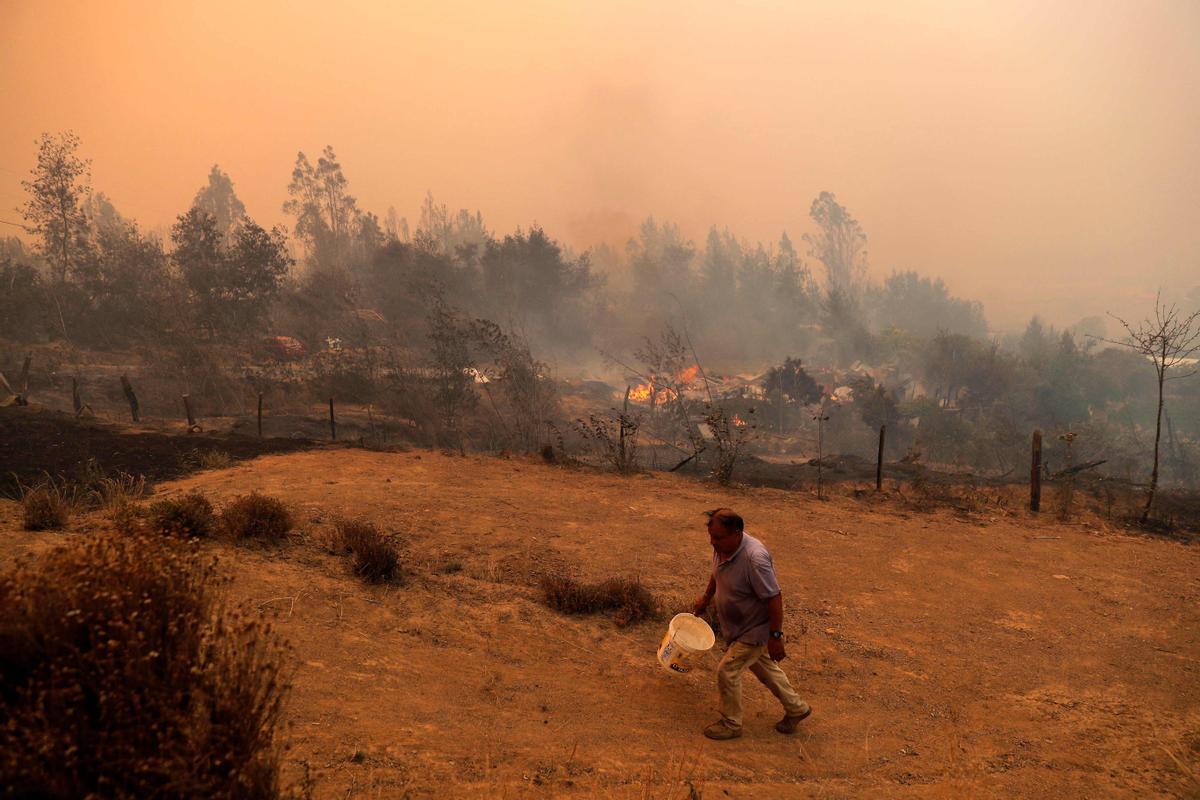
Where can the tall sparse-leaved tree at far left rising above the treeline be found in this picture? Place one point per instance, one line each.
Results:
(55, 210)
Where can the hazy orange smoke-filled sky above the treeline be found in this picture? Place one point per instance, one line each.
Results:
(1042, 158)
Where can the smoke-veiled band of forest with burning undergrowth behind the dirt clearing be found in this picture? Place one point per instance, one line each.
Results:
(493, 340)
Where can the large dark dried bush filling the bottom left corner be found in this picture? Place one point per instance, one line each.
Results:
(123, 676)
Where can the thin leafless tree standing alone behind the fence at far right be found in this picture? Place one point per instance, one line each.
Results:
(1171, 340)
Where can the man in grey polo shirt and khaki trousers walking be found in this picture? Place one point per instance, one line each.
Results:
(751, 615)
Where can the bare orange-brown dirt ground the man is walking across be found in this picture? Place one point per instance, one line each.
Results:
(945, 655)
